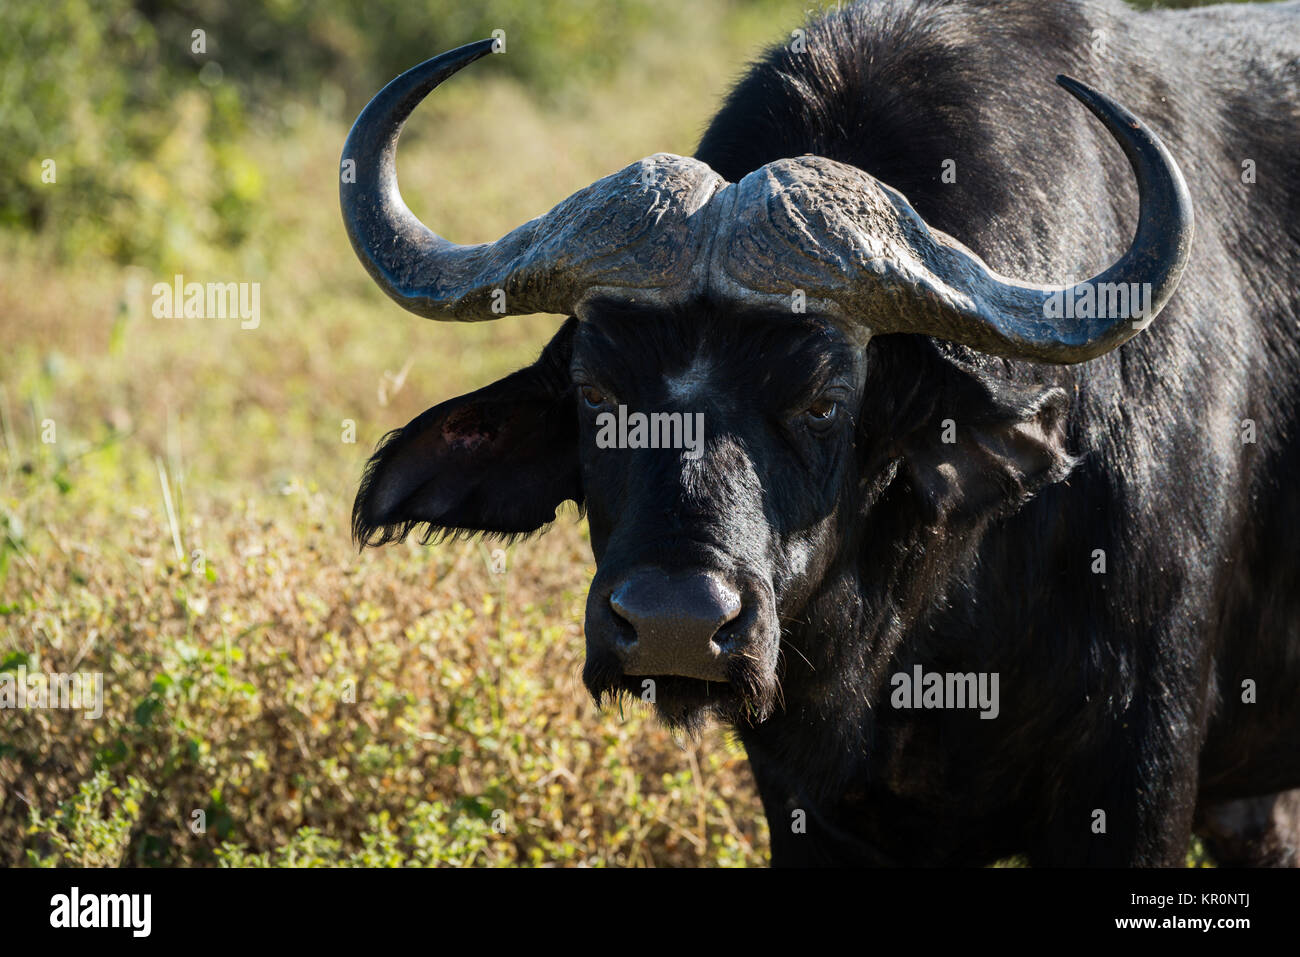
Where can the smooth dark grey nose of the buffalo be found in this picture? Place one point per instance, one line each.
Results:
(677, 620)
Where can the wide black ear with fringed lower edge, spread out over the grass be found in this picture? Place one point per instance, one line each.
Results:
(499, 461)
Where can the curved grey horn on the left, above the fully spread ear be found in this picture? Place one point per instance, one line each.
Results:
(631, 231)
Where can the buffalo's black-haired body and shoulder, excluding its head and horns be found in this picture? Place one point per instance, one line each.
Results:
(1129, 685)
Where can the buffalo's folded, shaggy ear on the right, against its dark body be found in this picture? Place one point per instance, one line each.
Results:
(989, 448)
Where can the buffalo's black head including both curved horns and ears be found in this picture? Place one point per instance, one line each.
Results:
(738, 322)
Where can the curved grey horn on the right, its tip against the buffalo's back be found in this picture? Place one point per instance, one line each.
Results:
(860, 250)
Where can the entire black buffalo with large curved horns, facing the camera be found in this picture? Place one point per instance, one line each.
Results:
(970, 577)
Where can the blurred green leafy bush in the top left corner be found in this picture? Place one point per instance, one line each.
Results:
(116, 155)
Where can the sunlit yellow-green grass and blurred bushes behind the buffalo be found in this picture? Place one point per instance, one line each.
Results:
(175, 493)
